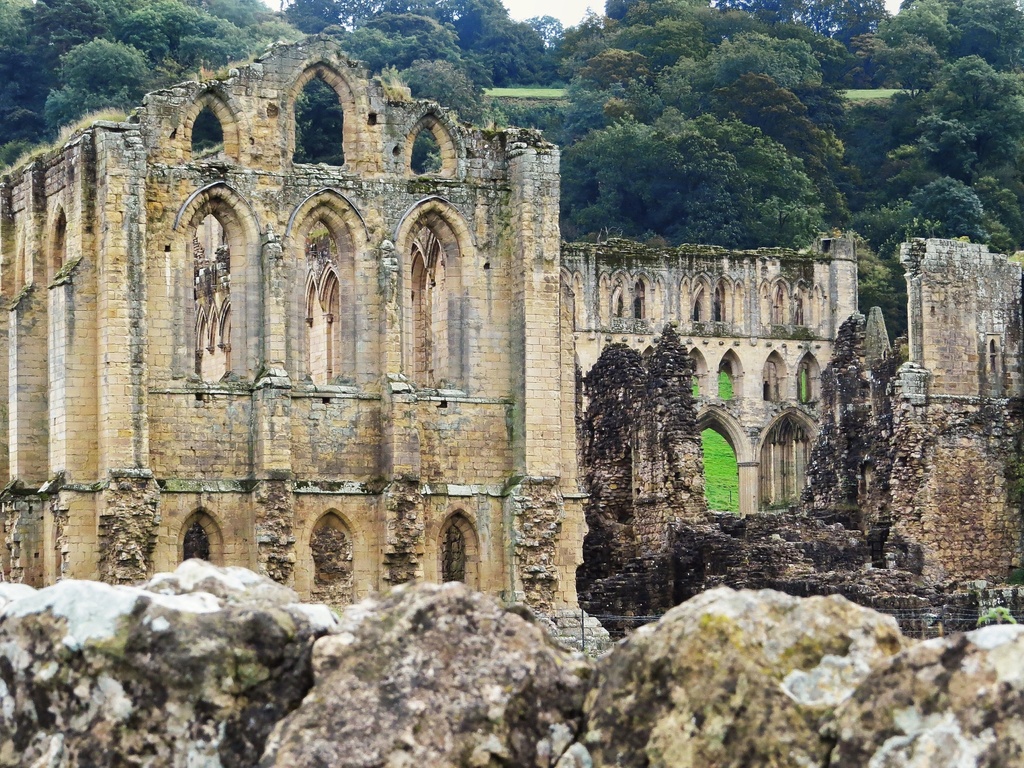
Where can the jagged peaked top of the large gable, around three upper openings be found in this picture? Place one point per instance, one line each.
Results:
(255, 105)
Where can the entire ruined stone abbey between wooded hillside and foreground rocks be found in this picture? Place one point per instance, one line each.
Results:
(352, 376)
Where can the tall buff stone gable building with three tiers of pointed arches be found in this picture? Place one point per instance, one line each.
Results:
(345, 377)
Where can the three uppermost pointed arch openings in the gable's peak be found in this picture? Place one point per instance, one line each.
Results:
(322, 130)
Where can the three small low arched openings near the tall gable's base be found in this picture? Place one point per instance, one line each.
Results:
(332, 552)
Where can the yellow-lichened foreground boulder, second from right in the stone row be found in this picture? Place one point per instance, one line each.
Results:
(734, 679)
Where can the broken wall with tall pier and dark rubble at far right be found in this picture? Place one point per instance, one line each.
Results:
(926, 453)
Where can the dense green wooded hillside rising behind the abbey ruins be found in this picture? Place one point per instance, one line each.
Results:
(680, 121)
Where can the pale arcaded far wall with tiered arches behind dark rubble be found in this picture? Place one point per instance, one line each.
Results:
(765, 320)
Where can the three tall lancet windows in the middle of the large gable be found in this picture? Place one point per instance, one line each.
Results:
(328, 254)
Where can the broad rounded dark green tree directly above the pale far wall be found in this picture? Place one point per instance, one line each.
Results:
(689, 181)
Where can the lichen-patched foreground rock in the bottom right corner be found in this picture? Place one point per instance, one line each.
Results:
(948, 703)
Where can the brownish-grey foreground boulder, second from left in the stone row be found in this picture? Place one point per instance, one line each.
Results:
(436, 676)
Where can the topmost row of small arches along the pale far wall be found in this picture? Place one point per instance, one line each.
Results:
(702, 300)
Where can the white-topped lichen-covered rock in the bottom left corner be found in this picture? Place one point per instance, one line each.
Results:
(193, 669)
